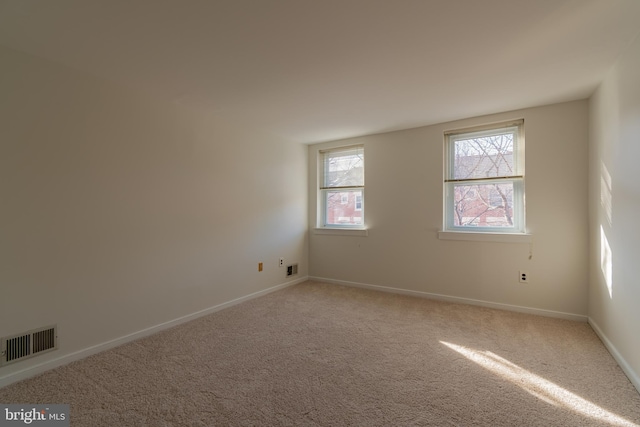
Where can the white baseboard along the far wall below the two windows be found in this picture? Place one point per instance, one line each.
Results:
(447, 298)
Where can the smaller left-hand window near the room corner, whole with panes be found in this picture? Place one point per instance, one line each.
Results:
(342, 187)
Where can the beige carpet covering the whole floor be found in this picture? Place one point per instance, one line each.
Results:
(326, 355)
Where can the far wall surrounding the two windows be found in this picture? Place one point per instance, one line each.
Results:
(403, 211)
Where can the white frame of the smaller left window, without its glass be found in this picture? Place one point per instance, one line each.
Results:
(324, 189)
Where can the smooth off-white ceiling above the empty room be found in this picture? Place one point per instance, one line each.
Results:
(318, 70)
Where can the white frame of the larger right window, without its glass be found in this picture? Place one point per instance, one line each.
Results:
(516, 179)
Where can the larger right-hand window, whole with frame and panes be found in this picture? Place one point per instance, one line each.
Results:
(484, 179)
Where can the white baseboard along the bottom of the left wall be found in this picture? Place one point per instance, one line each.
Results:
(81, 354)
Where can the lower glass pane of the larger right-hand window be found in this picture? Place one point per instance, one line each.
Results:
(483, 205)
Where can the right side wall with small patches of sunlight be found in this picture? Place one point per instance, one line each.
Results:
(615, 148)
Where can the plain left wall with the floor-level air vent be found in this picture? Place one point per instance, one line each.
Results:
(121, 212)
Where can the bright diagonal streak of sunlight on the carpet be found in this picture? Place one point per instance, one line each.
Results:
(537, 386)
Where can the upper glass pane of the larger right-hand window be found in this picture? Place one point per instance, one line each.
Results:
(483, 156)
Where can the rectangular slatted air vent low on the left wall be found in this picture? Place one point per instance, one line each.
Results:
(28, 344)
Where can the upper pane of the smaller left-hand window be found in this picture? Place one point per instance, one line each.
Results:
(344, 168)
